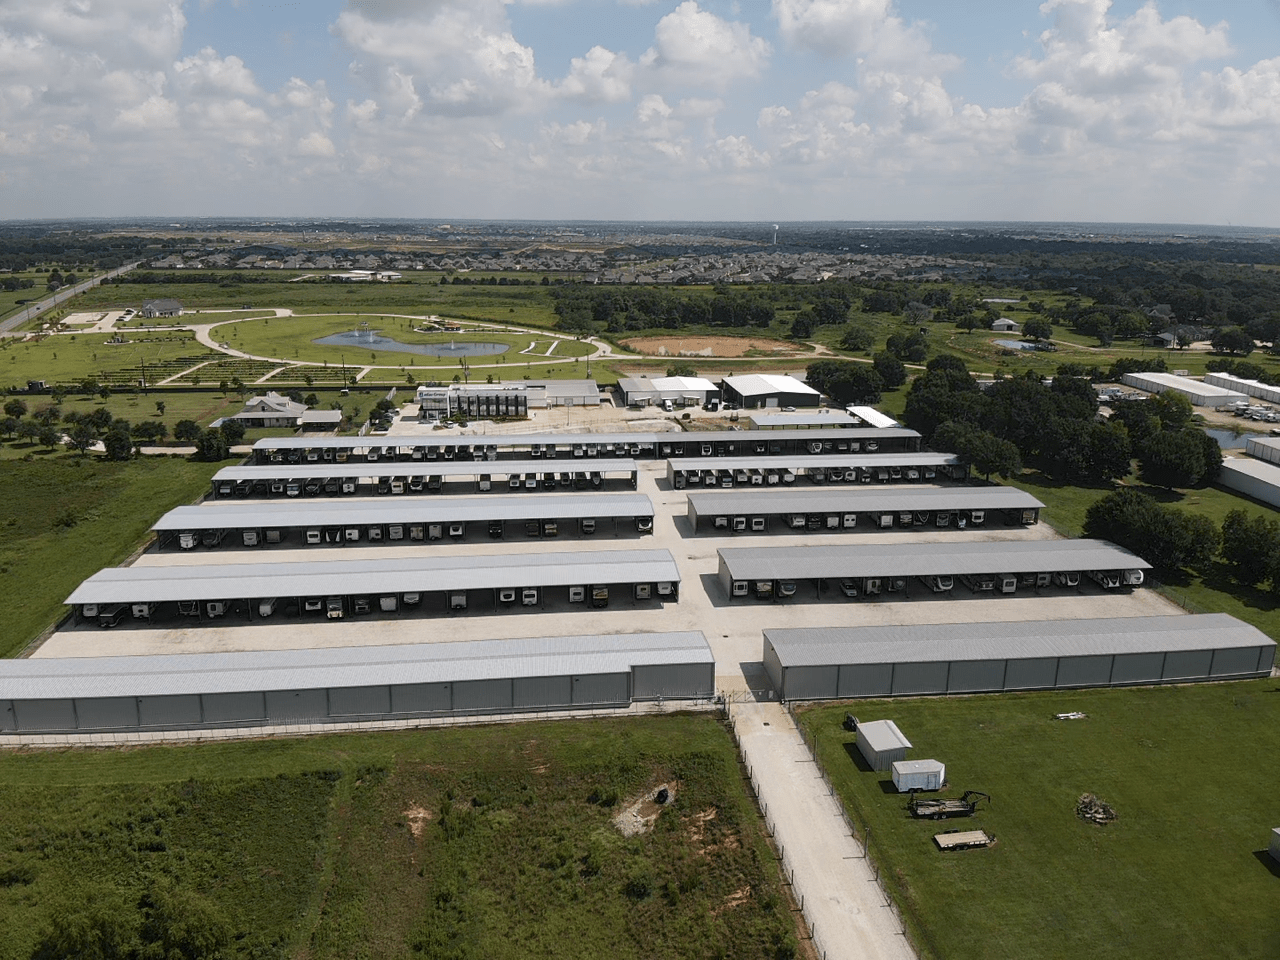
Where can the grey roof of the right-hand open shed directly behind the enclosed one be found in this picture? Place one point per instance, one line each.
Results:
(926, 560)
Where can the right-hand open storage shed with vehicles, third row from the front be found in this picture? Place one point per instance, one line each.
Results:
(844, 510)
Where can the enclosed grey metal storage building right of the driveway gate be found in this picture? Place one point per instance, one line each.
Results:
(976, 659)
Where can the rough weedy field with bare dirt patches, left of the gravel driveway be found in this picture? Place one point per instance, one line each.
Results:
(470, 843)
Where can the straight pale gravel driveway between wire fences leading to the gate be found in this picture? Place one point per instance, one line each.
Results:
(843, 900)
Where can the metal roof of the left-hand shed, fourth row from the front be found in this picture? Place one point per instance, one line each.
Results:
(418, 468)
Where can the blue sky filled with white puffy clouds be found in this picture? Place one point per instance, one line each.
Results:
(1124, 111)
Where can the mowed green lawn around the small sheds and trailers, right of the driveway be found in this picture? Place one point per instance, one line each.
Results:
(1183, 874)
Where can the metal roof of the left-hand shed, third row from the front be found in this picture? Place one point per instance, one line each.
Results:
(234, 515)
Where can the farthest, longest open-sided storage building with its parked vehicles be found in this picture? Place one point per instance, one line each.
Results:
(301, 451)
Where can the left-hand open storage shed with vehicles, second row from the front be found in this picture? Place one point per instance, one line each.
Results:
(333, 591)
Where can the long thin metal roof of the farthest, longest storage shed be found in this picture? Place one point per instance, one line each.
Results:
(570, 440)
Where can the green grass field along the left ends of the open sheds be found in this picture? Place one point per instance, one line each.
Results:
(65, 518)
